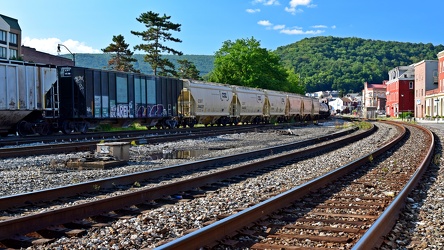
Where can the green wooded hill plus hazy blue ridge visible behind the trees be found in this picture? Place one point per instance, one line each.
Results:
(324, 63)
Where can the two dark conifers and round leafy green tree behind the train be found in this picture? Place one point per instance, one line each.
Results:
(242, 62)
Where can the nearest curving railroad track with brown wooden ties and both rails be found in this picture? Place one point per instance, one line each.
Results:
(353, 207)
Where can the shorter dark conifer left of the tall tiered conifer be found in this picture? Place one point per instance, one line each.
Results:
(122, 57)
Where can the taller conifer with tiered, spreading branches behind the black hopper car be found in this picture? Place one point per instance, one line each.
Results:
(158, 28)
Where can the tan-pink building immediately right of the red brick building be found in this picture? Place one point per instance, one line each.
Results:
(426, 78)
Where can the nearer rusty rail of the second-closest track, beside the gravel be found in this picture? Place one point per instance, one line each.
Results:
(26, 224)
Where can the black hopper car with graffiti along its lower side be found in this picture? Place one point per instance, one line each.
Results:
(89, 97)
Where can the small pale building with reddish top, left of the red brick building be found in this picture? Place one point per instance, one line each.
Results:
(374, 99)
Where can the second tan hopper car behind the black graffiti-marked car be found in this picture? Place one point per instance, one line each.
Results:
(248, 103)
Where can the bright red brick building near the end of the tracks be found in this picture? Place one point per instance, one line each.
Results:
(400, 90)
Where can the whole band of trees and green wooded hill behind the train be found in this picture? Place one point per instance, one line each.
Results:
(311, 64)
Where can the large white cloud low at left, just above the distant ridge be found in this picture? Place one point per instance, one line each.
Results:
(49, 45)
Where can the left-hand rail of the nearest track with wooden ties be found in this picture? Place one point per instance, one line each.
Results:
(232, 224)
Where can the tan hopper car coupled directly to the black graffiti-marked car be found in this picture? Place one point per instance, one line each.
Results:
(205, 103)
